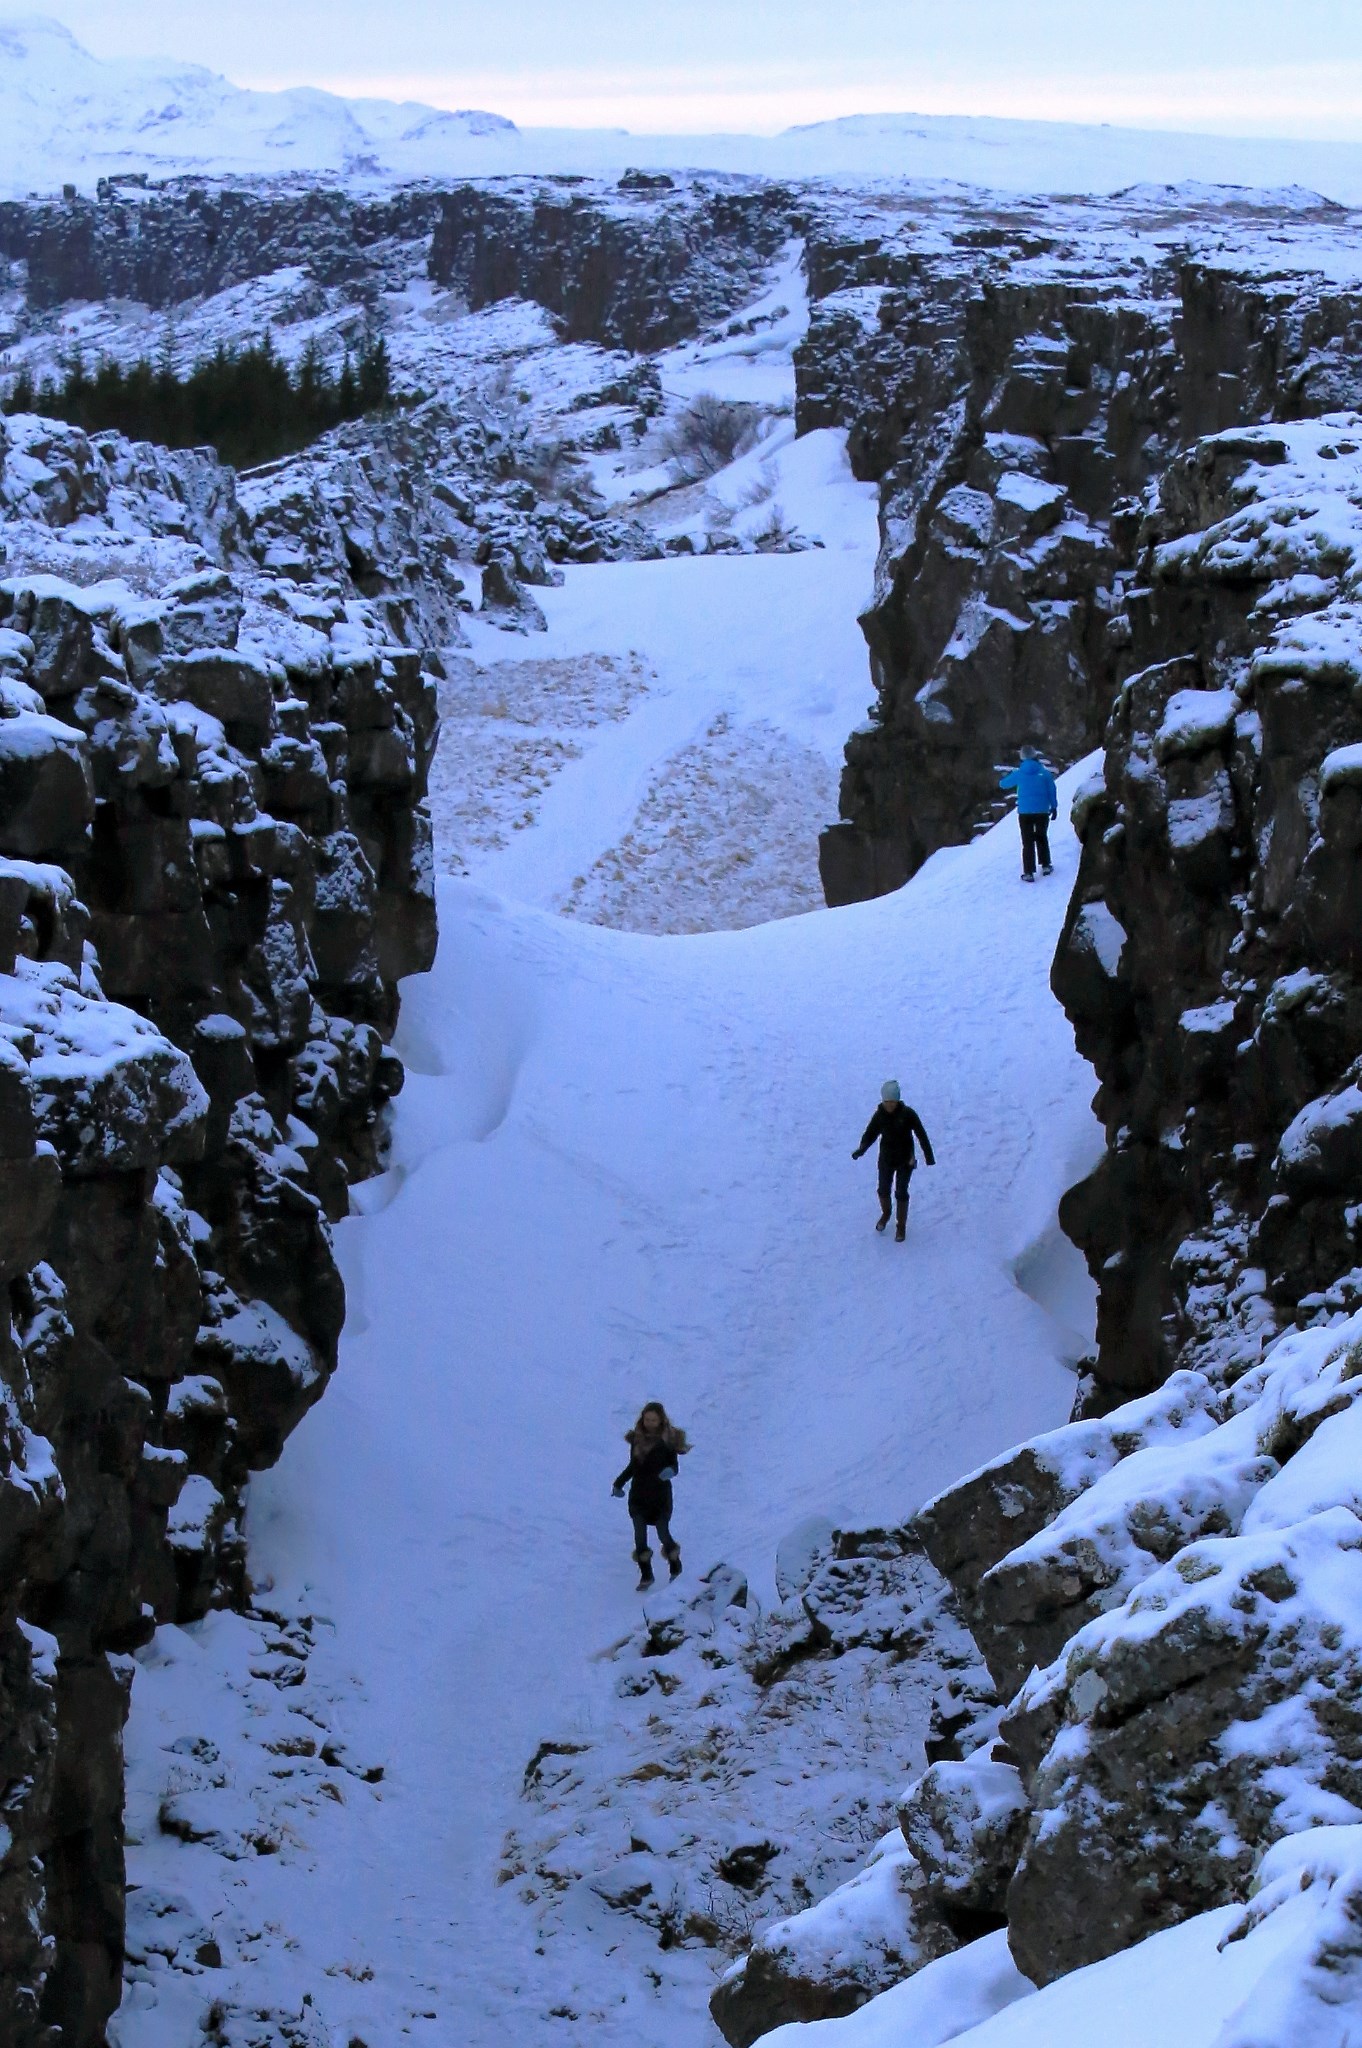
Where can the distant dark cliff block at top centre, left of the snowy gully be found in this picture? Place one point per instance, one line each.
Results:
(628, 269)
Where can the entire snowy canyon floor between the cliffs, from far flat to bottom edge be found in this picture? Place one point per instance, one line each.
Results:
(622, 1168)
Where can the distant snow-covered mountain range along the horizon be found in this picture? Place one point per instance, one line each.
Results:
(73, 118)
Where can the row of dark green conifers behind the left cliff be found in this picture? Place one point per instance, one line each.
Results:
(245, 402)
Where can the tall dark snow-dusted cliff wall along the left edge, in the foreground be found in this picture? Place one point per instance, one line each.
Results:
(214, 867)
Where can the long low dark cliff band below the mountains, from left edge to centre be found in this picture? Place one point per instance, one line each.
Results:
(636, 265)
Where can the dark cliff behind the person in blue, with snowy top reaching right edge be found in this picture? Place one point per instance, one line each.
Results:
(1019, 382)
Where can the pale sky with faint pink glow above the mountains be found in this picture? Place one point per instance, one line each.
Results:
(1232, 67)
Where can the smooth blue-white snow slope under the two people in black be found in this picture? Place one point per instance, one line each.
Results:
(624, 1170)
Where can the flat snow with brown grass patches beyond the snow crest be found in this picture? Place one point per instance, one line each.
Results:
(738, 650)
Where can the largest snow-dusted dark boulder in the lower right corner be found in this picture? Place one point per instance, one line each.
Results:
(1218, 1709)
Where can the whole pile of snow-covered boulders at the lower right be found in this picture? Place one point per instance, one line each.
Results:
(1168, 1601)
